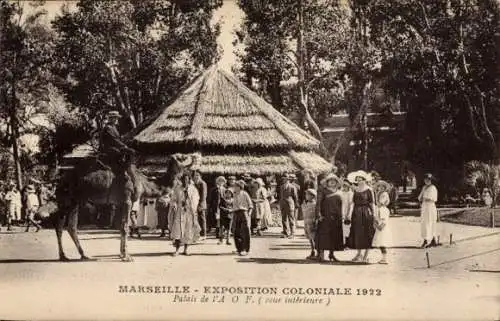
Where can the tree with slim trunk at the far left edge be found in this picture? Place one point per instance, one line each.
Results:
(25, 57)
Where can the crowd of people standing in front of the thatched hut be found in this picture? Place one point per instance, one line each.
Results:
(350, 212)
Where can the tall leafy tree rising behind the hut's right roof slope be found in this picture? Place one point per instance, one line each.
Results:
(293, 41)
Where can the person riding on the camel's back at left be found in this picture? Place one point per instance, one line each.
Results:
(112, 147)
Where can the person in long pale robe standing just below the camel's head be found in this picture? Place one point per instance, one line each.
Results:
(183, 222)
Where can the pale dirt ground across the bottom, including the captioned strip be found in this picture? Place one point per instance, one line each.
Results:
(461, 284)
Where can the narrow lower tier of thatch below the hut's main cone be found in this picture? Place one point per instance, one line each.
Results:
(263, 164)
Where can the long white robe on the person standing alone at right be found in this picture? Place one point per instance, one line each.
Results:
(428, 212)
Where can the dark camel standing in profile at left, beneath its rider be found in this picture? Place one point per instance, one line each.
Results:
(87, 185)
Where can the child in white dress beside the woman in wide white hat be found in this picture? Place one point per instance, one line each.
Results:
(381, 222)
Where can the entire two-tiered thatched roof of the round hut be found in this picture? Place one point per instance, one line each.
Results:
(234, 129)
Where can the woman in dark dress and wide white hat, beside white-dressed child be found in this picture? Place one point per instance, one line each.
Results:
(360, 215)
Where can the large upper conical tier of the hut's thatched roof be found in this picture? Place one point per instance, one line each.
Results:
(218, 111)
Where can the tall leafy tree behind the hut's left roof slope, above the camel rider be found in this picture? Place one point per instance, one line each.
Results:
(132, 56)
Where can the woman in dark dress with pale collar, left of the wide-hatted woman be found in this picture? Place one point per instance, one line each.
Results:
(330, 236)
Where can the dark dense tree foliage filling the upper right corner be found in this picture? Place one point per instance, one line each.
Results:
(441, 60)
